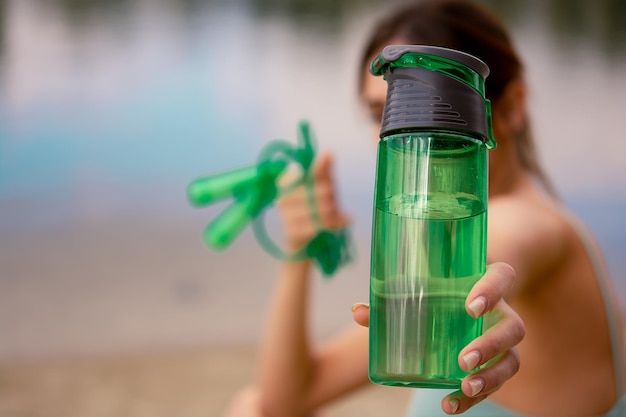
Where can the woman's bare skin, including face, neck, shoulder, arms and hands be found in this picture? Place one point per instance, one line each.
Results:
(543, 271)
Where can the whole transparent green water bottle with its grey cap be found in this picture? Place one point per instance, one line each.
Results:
(429, 234)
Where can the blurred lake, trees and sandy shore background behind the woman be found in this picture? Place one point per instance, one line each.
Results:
(109, 302)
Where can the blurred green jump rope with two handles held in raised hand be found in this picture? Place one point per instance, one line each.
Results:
(255, 189)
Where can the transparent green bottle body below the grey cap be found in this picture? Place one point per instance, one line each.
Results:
(428, 250)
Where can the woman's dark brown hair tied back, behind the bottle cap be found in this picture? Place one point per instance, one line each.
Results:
(465, 26)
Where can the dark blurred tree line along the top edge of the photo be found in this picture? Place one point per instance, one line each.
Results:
(600, 22)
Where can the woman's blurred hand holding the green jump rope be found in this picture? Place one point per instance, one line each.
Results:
(295, 211)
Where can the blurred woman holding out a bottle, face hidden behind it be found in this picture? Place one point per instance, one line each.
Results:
(571, 362)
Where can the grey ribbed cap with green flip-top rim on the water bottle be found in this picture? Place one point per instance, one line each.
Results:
(434, 87)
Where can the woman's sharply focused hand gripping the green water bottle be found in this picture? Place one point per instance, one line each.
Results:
(495, 346)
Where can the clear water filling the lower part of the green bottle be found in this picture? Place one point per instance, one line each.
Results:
(428, 254)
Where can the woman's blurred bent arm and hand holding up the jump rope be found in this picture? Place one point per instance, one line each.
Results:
(294, 378)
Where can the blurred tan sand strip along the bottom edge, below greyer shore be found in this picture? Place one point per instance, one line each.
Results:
(181, 384)
